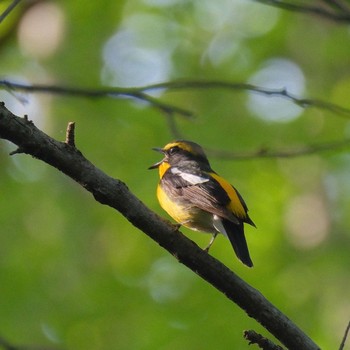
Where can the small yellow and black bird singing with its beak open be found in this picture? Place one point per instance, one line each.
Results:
(195, 196)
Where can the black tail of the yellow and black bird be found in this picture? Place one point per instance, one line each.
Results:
(235, 233)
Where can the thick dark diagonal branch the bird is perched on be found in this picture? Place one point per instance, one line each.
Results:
(114, 193)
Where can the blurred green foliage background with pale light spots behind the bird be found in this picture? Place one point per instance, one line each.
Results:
(77, 275)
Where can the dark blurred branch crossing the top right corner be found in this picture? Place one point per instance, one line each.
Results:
(319, 11)
